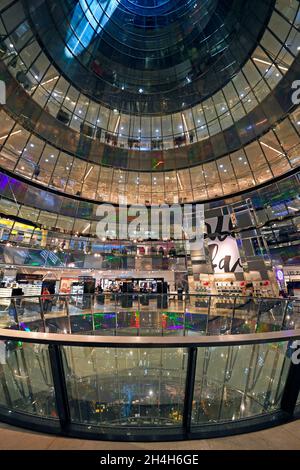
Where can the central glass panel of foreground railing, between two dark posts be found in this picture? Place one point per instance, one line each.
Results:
(127, 387)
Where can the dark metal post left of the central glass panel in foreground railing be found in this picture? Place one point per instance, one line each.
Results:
(60, 386)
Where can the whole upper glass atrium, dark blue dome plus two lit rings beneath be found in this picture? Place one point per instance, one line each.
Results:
(58, 132)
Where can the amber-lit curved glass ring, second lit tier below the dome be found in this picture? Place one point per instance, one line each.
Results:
(275, 154)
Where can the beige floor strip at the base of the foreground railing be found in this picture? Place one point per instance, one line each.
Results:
(286, 437)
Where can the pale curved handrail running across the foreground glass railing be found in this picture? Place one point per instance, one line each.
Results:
(148, 341)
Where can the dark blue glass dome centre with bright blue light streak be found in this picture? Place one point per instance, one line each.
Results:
(149, 56)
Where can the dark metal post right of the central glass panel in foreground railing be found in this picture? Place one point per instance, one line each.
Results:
(189, 390)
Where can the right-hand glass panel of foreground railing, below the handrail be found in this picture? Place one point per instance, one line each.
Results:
(238, 382)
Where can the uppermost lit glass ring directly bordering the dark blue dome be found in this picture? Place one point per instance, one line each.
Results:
(234, 100)
